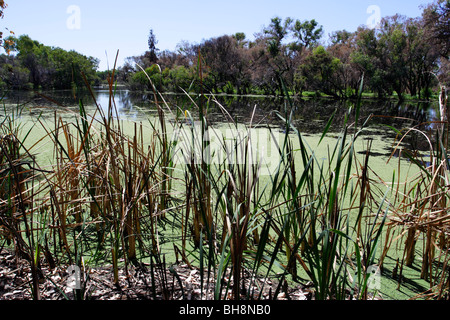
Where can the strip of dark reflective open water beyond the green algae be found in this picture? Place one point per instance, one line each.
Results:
(309, 115)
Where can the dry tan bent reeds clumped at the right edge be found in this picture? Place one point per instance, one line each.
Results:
(421, 209)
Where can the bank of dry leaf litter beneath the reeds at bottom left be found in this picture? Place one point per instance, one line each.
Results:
(179, 281)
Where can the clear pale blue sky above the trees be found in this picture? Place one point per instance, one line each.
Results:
(99, 28)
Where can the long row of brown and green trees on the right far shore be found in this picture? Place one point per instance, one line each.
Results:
(402, 56)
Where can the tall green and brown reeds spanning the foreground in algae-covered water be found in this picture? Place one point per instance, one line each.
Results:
(241, 217)
